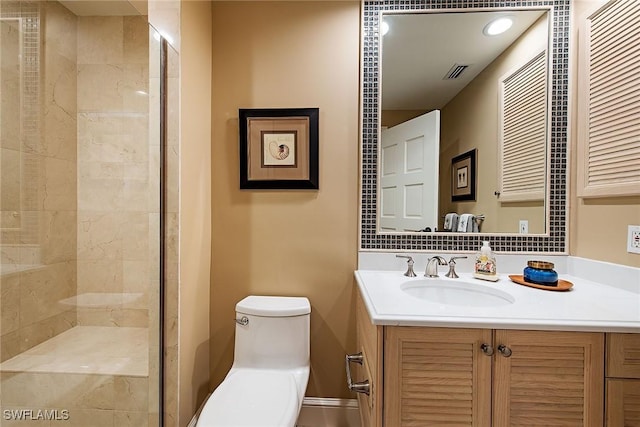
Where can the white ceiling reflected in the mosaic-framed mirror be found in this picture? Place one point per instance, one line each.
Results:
(420, 49)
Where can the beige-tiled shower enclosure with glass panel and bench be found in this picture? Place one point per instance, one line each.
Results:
(80, 216)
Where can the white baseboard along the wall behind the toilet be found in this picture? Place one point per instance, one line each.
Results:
(321, 412)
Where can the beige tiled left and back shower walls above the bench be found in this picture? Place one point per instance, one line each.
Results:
(88, 184)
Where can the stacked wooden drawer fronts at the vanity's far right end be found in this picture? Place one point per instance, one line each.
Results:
(623, 380)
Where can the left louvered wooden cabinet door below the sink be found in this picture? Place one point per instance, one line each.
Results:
(436, 377)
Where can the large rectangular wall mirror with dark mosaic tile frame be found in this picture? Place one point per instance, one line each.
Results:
(464, 133)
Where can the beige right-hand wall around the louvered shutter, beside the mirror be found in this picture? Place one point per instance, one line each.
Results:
(598, 227)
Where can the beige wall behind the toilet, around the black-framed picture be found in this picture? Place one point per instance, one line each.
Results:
(287, 55)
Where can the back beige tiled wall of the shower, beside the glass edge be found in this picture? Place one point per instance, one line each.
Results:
(114, 195)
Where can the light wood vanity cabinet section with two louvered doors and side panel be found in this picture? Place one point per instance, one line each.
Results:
(443, 376)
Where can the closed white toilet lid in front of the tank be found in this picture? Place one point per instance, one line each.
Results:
(252, 398)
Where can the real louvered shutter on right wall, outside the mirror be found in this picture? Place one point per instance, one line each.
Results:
(610, 150)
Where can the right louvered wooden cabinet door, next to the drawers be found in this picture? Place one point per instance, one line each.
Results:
(548, 379)
